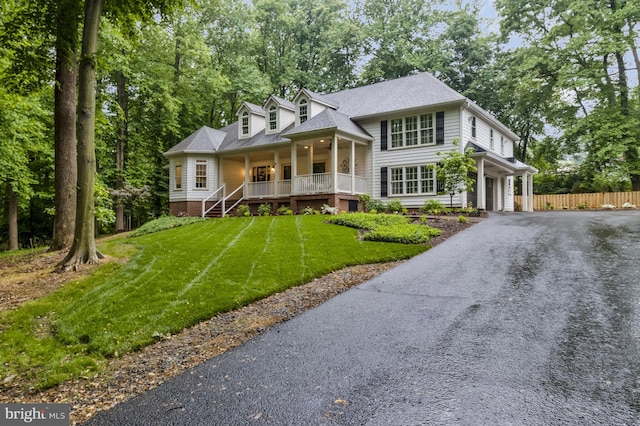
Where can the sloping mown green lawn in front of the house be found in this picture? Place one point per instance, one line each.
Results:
(172, 280)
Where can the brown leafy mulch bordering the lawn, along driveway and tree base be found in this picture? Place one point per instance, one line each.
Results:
(136, 373)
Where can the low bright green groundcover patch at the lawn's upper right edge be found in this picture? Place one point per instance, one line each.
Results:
(387, 228)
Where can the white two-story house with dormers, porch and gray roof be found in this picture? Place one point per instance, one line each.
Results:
(382, 140)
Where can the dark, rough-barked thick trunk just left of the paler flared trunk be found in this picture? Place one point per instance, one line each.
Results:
(66, 173)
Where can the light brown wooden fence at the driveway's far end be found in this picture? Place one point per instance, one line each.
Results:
(577, 201)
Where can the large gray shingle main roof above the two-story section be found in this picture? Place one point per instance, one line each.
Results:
(401, 94)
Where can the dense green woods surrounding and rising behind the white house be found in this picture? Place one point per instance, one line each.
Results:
(563, 75)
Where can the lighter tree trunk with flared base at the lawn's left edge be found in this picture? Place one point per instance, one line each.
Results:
(84, 245)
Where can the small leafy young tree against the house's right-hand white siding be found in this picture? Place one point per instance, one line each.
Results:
(453, 171)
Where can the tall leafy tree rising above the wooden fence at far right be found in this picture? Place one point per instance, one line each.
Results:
(584, 48)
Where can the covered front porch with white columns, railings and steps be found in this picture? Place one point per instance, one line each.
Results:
(325, 169)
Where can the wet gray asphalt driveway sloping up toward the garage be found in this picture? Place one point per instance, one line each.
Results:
(525, 319)
